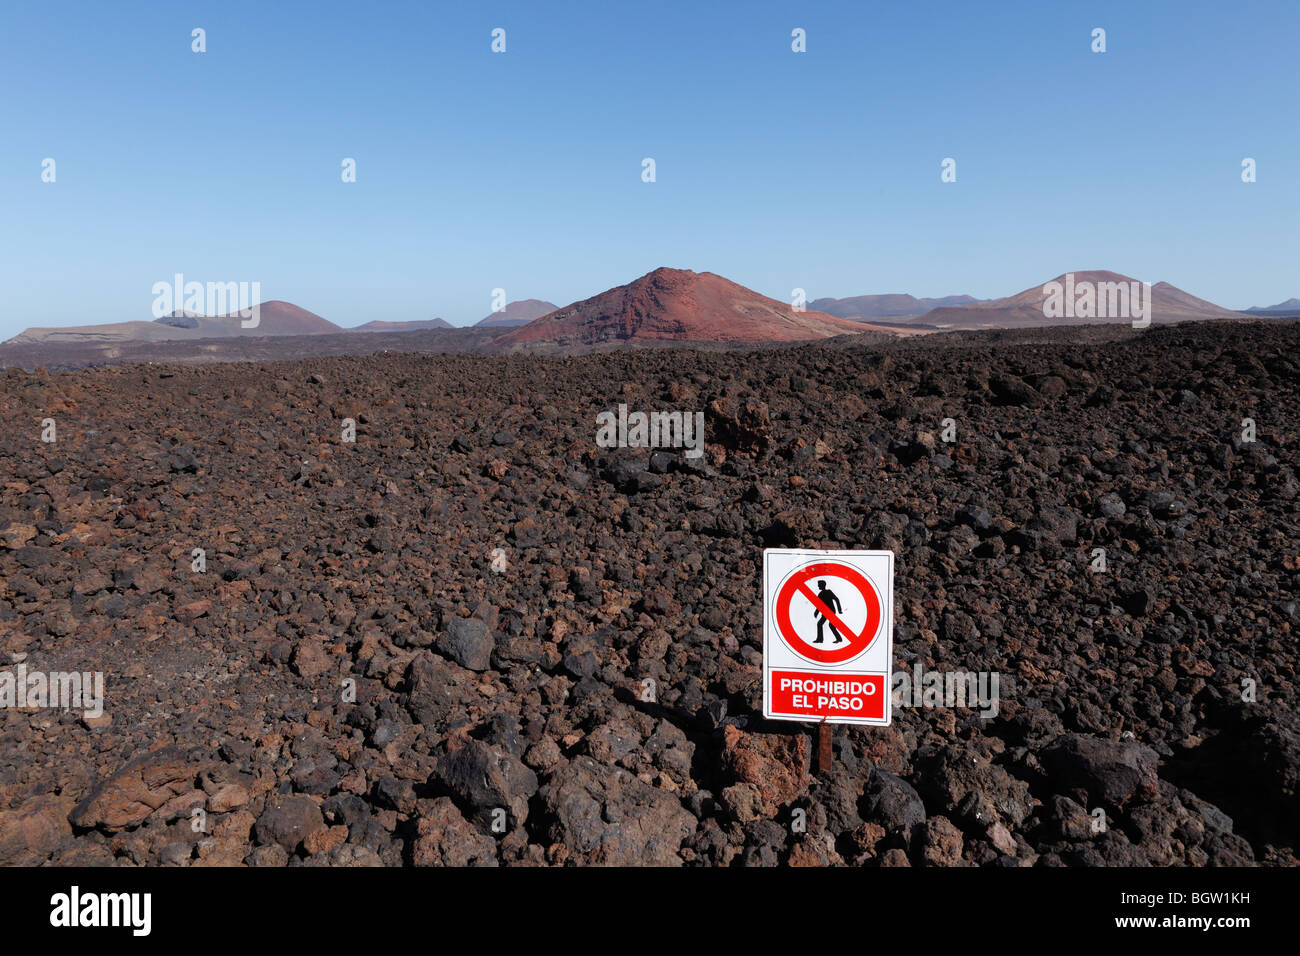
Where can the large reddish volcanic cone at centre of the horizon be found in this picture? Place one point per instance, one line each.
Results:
(678, 306)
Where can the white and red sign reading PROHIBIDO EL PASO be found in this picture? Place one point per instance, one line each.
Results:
(827, 635)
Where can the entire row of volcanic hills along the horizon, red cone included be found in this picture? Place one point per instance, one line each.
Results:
(681, 306)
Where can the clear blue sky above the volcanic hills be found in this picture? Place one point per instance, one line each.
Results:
(523, 170)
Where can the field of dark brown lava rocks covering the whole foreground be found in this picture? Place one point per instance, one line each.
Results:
(473, 637)
